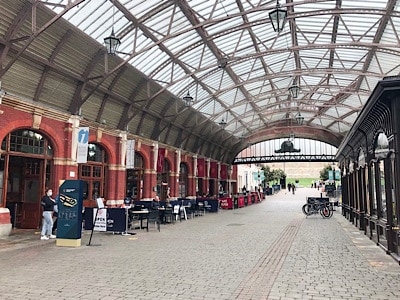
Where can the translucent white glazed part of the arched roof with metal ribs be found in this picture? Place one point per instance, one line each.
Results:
(237, 68)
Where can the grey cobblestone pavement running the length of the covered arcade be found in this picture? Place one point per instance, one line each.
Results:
(268, 250)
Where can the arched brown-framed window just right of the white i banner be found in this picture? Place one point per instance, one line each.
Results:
(92, 173)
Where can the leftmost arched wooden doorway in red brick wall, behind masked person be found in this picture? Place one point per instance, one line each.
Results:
(26, 171)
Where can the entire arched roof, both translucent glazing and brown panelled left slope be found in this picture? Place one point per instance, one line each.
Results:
(225, 53)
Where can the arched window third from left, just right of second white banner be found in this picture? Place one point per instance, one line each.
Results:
(135, 178)
